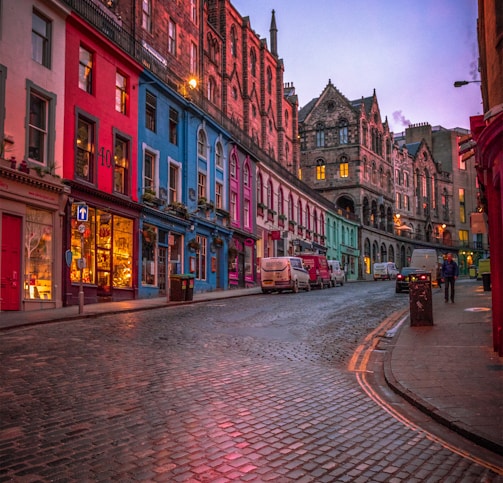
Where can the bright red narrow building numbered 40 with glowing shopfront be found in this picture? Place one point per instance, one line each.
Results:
(100, 164)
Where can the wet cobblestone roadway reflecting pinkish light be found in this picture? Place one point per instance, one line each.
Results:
(218, 392)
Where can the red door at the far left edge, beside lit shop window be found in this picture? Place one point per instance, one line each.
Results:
(10, 271)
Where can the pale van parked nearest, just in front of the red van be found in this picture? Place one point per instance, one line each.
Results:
(283, 273)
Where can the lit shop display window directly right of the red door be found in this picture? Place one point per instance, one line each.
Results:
(38, 254)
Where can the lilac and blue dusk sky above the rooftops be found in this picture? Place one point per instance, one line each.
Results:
(409, 51)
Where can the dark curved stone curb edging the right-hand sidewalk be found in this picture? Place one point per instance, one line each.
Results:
(437, 415)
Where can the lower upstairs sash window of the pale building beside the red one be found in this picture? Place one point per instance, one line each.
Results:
(37, 128)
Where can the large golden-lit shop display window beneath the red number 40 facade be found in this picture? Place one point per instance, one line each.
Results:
(107, 243)
